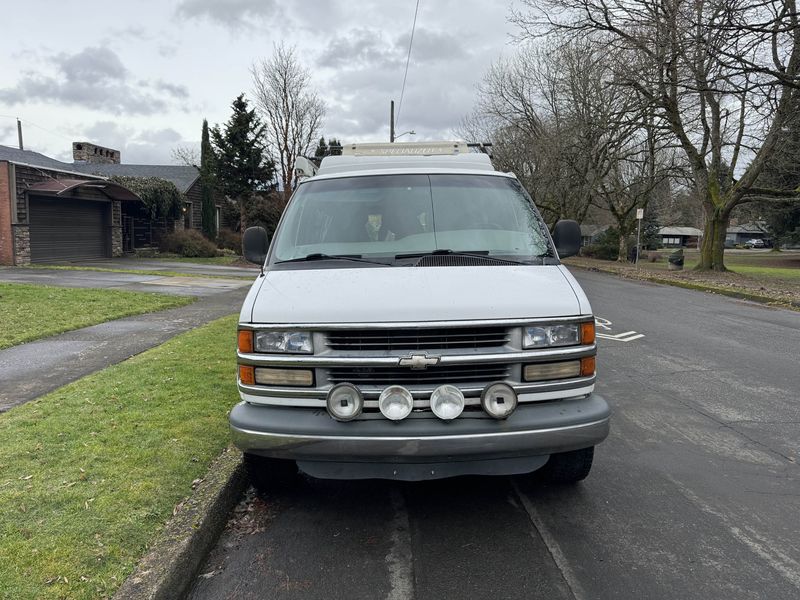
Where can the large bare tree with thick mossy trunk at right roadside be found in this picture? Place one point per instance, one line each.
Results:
(722, 76)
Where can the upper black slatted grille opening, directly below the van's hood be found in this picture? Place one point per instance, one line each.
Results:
(418, 339)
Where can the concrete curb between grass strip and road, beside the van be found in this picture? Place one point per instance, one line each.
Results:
(168, 570)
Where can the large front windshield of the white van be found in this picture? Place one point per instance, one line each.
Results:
(387, 217)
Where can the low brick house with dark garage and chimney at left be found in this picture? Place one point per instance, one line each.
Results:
(56, 211)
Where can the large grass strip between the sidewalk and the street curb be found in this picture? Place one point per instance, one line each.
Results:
(91, 472)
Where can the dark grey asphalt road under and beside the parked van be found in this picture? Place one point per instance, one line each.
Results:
(696, 493)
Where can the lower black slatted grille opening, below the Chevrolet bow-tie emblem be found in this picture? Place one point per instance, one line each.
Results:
(455, 374)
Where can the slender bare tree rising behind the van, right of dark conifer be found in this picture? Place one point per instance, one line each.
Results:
(290, 108)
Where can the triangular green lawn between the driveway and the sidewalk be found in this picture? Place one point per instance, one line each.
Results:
(29, 312)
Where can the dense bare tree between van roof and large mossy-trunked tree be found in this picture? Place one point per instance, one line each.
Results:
(572, 138)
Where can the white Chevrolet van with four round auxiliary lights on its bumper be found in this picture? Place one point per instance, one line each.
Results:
(413, 321)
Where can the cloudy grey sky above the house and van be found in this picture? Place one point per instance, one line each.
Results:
(140, 76)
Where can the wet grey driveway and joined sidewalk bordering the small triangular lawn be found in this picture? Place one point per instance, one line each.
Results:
(63, 358)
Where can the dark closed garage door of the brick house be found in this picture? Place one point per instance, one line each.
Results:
(68, 229)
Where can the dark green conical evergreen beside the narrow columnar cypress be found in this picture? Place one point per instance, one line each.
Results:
(242, 163)
